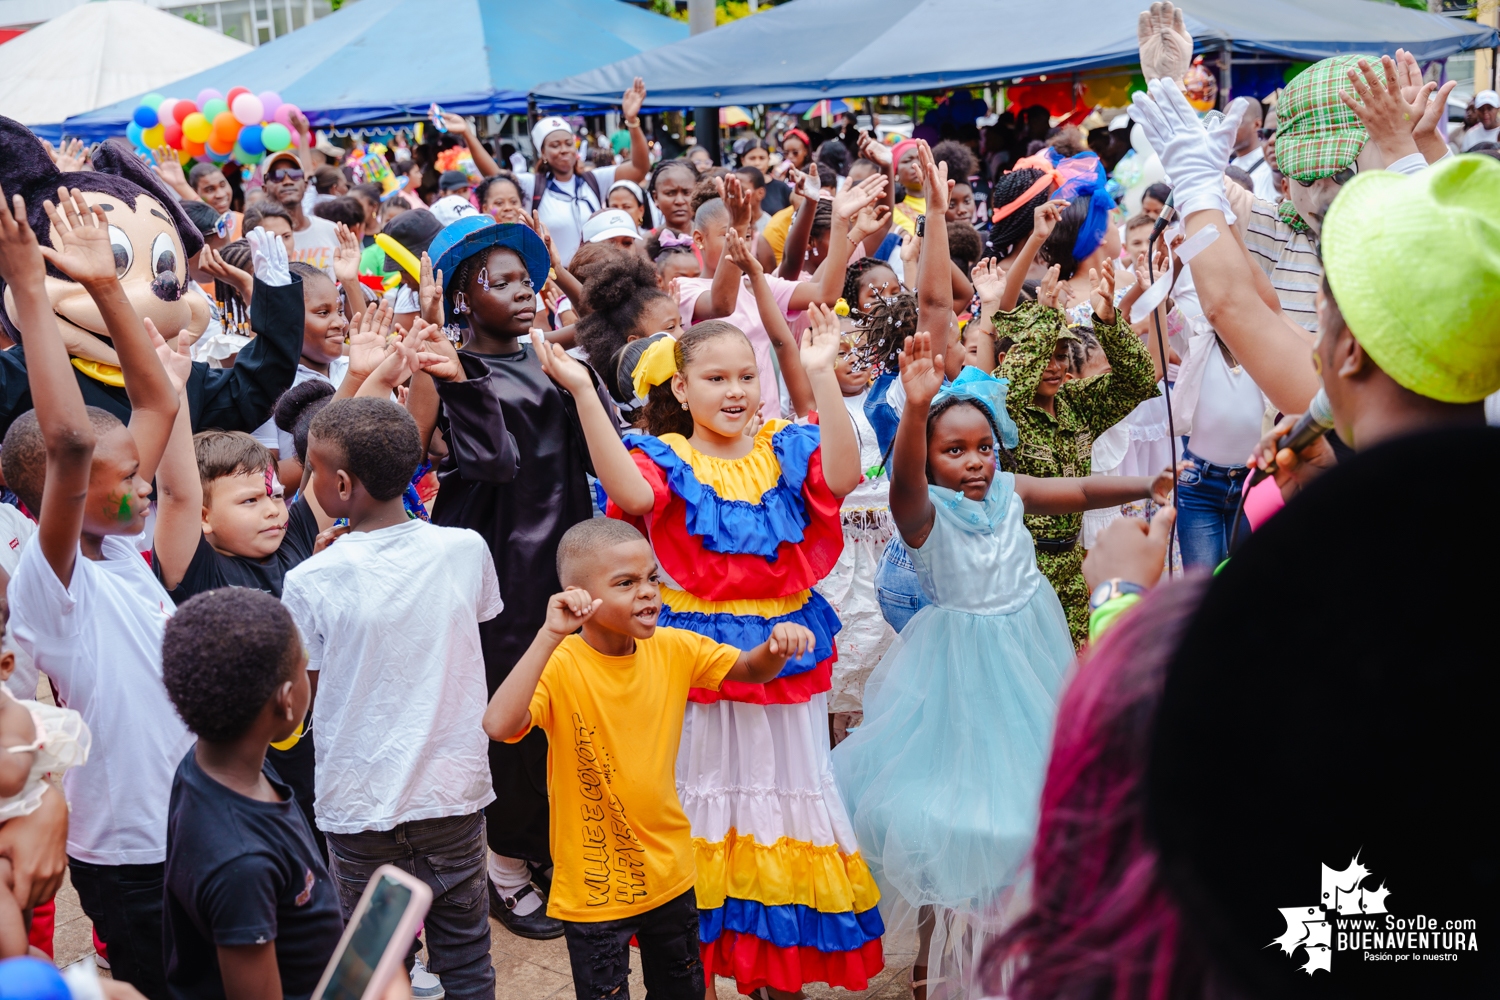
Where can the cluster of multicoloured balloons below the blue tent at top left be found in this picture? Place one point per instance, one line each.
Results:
(242, 125)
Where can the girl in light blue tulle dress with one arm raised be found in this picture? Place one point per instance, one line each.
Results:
(944, 776)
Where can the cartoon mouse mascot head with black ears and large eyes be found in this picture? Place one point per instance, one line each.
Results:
(151, 233)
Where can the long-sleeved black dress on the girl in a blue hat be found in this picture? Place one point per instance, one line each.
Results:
(517, 475)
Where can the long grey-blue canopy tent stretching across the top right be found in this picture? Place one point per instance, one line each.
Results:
(829, 49)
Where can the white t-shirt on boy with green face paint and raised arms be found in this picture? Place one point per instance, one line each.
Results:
(101, 644)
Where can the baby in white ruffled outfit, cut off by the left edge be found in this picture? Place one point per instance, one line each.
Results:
(37, 741)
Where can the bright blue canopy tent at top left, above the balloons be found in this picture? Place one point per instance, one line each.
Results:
(392, 59)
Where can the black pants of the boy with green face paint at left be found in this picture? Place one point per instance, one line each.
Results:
(125, 905)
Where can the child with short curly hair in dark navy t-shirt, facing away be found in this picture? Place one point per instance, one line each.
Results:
(250, 902)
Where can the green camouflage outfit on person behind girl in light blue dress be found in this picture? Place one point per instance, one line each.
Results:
(1063, 446)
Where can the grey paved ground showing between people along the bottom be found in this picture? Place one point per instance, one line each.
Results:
(524, 971)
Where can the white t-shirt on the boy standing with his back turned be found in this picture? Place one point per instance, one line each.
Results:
(391, 620)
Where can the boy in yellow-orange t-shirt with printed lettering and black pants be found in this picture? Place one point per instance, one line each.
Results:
(610, 689)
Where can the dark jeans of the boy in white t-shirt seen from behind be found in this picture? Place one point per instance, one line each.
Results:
(449, 855)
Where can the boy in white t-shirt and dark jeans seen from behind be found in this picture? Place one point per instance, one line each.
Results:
(391, 617)
